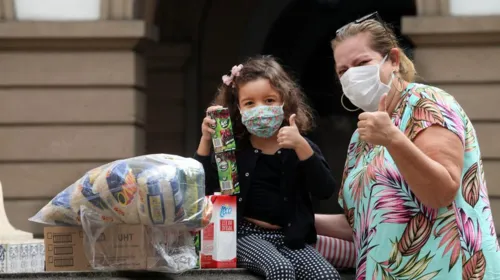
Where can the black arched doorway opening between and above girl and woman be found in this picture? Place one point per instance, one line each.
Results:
(300, 38)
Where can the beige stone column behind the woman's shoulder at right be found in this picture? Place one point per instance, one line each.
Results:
(460, 55)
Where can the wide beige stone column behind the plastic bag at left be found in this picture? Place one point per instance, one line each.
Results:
(72, 98)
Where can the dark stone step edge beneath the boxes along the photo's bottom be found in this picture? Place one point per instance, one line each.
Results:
(208, 274)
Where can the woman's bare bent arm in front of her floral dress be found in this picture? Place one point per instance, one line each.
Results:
(431, 164)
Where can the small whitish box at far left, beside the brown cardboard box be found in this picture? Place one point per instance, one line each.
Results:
(22, 257)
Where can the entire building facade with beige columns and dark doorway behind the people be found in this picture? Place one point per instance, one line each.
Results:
(79, 94)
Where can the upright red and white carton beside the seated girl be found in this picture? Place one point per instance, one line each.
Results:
(218, 239)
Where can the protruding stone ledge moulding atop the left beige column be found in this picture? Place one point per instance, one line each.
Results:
(75, 35)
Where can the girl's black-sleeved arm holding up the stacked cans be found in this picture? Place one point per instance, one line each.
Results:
(206, 158)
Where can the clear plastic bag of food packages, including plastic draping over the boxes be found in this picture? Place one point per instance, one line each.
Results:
(163, 193)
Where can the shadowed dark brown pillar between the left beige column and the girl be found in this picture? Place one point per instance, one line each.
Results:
(167, 110)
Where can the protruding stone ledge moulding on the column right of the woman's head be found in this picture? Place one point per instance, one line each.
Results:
(441, 30)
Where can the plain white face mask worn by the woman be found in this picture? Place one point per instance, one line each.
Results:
(363, 87)
